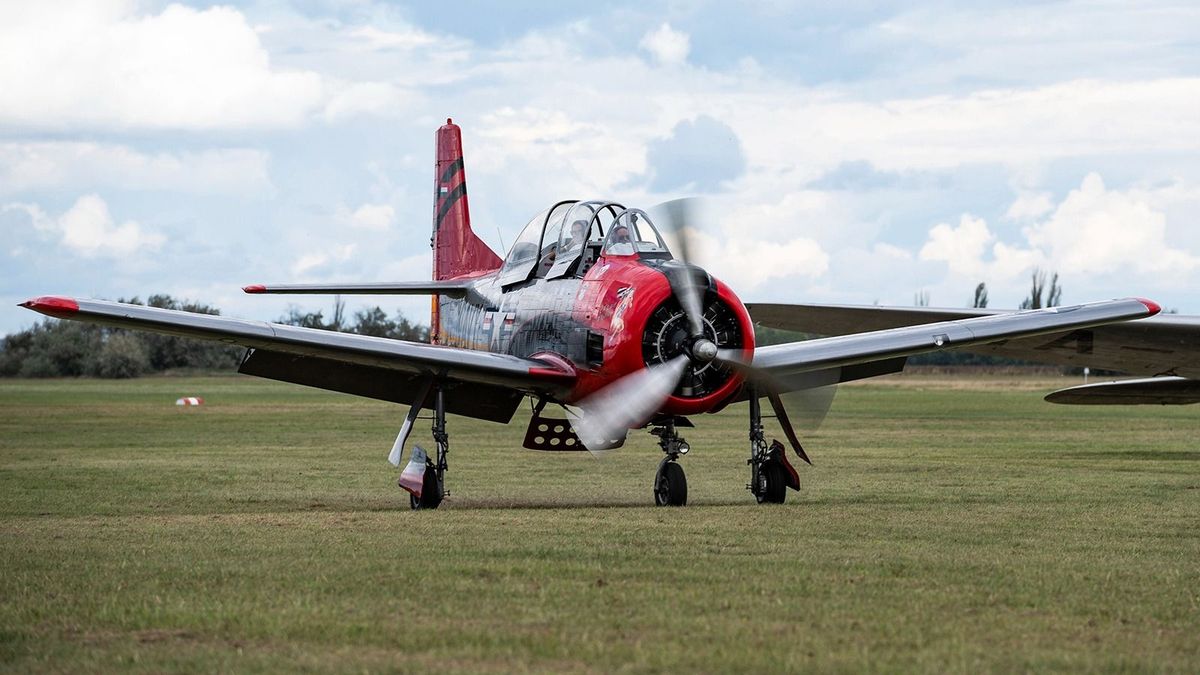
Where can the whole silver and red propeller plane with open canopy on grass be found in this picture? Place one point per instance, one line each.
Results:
(591, 312)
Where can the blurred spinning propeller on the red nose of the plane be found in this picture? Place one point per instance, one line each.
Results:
(607, 416)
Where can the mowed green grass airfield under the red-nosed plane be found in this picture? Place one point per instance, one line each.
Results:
(949, 525)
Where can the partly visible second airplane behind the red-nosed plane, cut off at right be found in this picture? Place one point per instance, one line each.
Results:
(1165, 348)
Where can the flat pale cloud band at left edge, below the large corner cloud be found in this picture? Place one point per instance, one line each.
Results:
(64, 165)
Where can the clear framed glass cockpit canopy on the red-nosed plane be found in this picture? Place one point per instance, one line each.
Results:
(556, 240)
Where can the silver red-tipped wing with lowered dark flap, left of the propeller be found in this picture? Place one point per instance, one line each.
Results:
(481, 385)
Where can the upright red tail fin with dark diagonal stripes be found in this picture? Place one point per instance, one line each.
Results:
(457, 250)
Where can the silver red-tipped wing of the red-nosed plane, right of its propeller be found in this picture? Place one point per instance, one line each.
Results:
(886, 349)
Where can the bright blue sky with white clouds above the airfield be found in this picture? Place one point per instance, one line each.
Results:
(868, 153)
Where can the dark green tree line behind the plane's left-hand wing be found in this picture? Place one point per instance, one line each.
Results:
(73, 349)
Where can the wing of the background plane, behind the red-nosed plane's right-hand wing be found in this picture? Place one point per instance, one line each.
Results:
(1165, 344)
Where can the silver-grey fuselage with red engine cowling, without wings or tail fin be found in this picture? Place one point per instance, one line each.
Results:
(608, 318)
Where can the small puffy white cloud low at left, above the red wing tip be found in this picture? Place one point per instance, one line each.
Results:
(88, 229)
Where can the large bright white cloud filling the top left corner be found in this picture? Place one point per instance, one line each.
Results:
(104, 65)
